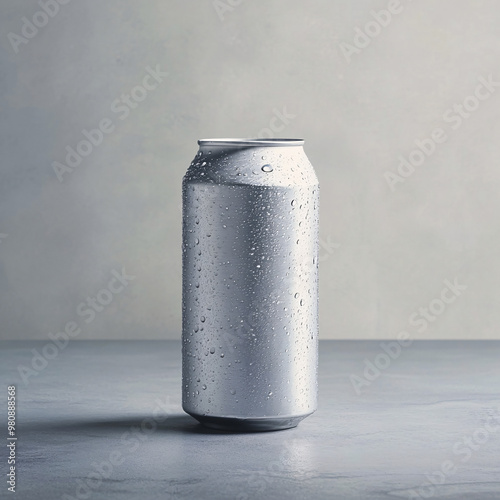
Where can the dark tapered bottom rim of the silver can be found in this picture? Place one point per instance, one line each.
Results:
(235, 424)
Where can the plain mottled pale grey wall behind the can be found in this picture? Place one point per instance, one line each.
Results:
(232, 67)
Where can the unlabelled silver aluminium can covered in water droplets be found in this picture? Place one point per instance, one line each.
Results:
(250, 284)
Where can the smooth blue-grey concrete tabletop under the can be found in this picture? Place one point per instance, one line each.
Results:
(108, 414)
